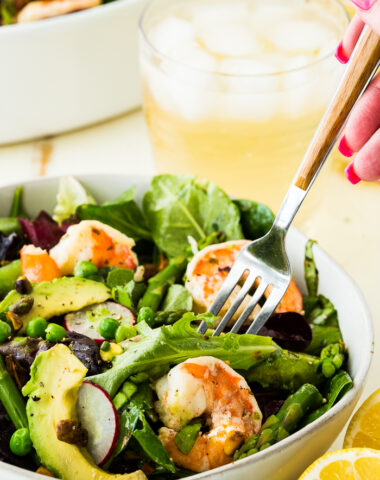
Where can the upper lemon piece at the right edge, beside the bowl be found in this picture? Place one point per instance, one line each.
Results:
(364, 428)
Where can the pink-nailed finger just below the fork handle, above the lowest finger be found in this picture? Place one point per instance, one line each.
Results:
(363, 121)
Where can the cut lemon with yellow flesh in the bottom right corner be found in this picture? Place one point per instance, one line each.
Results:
(349, 464)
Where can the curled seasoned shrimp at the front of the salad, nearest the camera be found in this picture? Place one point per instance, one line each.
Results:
(208, 387)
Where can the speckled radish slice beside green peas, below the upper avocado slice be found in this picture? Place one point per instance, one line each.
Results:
(86, 321)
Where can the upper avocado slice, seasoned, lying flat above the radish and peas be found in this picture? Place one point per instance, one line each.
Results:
(62, 295)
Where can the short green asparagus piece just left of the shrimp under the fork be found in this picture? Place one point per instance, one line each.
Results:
(158, 284)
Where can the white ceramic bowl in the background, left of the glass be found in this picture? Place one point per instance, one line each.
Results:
(69, 71)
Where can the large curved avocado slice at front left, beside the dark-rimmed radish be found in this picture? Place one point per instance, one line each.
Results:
(56, 376)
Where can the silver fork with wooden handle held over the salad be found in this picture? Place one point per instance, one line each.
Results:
(265, 260)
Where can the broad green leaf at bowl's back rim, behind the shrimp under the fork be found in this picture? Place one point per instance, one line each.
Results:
(178, 207)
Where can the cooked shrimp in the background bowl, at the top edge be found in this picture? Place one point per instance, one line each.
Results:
(40, 10)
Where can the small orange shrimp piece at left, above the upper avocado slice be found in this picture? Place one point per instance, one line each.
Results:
(37, 265)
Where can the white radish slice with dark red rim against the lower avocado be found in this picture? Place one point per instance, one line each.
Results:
(98, 416)
